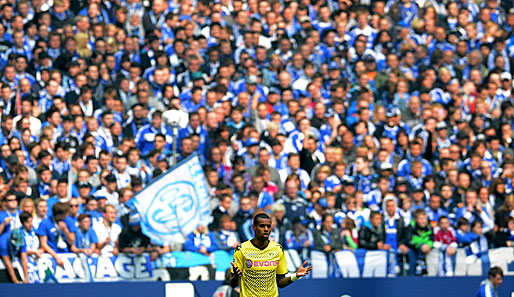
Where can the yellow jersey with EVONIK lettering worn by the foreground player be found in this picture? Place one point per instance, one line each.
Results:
(259, 268)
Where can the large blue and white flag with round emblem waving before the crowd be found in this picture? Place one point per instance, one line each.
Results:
(174, 204)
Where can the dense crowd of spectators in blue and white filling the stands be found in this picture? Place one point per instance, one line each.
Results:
(382, 125)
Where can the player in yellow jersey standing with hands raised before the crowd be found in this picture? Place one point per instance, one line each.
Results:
(259, 265)
